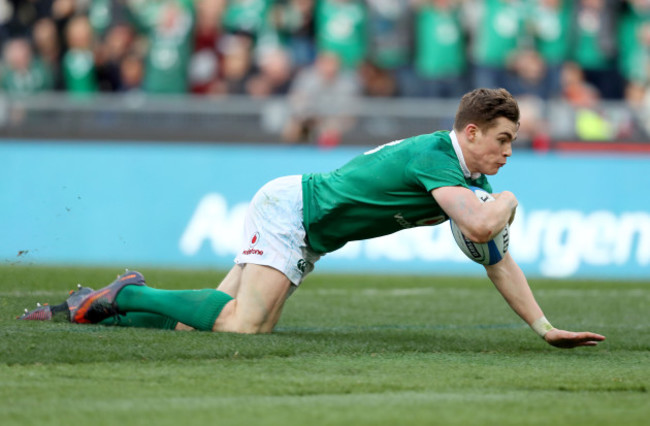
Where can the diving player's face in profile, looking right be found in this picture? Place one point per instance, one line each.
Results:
(493, 146)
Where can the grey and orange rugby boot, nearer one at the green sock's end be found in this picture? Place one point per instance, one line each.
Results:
(100, 304)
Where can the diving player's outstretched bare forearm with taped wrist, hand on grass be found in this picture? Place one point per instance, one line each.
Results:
(513, 286)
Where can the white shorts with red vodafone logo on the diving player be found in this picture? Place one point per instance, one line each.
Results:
(274, 233)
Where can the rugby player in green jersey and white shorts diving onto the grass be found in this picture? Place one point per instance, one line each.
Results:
(294, 220)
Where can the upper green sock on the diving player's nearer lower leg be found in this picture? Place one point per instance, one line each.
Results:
(196, 308)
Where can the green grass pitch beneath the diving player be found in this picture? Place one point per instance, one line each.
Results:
(349, 350)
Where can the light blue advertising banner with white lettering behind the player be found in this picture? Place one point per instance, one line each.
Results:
(182, 205)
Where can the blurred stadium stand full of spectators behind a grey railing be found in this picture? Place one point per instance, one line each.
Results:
(235, 70)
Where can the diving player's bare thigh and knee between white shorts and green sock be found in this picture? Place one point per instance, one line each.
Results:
(258, 303)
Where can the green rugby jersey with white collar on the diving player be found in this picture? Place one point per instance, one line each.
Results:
(382, 191)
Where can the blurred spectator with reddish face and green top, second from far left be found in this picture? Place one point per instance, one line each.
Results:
(79, 72)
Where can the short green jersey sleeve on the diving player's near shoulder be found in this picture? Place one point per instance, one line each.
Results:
(434, 170)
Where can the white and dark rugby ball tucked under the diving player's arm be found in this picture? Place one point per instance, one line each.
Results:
(484, 253)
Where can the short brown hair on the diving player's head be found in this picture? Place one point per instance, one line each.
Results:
(483, 106)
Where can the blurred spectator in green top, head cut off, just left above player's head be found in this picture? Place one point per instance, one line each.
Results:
(440, 61)
